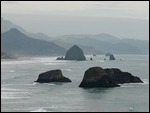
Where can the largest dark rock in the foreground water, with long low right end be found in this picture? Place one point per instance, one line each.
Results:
(98, 77)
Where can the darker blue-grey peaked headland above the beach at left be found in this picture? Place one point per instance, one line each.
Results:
(18, 44)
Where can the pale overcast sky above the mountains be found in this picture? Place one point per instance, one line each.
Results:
(125, 19)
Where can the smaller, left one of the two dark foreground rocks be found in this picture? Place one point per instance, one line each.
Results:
(52, 76)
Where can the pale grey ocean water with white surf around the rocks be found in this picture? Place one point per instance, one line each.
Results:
(19, 92)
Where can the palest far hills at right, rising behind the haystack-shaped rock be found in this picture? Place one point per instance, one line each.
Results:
(108, 43)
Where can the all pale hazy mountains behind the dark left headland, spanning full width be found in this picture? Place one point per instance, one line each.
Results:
(98, 44)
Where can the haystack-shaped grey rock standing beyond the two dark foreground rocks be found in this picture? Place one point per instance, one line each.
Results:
(75, 53)
